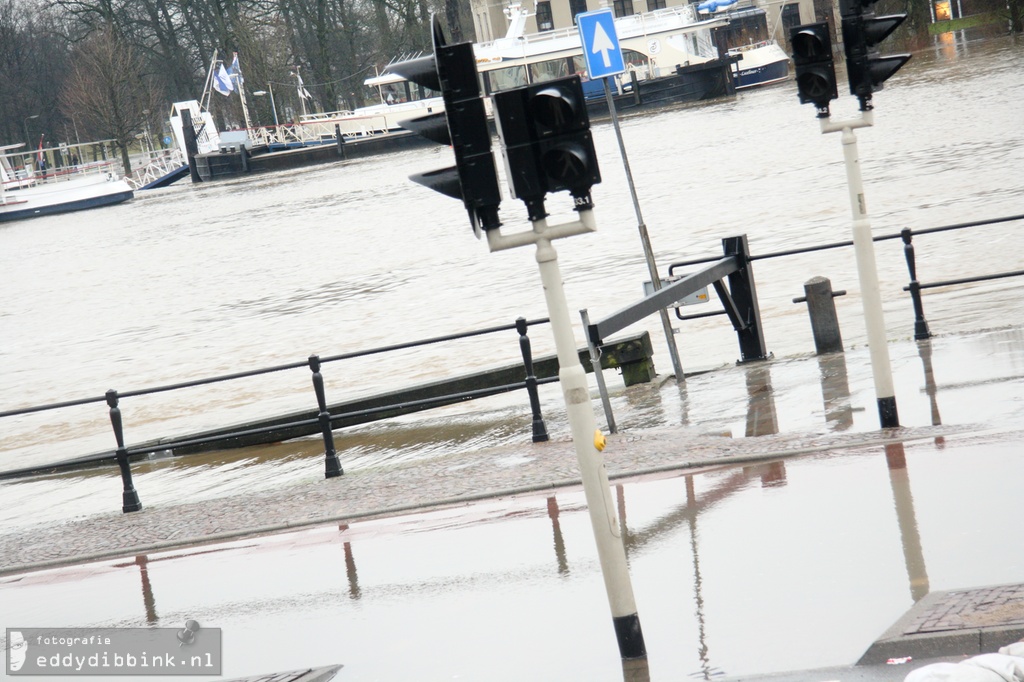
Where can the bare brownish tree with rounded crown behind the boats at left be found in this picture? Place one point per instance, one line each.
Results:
(106, 90)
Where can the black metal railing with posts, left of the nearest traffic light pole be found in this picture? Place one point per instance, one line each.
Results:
(324, 422)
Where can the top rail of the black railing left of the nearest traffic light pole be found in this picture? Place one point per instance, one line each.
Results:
(267, 370)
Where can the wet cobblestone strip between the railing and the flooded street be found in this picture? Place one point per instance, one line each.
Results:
(386, 491)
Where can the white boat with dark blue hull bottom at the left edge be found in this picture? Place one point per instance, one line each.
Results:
(28, 192)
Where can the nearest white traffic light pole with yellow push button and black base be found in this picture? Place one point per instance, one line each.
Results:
(587, 438)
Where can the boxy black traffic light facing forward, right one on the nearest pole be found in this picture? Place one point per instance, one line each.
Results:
(548, 146)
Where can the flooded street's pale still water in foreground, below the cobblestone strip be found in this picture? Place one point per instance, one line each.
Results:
(773, 568)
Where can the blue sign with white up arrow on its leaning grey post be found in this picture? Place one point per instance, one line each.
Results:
(604, 56)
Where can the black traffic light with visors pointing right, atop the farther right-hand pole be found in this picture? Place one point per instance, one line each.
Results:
(863, 32)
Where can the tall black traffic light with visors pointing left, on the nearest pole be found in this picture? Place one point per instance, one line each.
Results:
(452, 69)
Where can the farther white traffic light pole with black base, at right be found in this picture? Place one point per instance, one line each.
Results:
(868, 273)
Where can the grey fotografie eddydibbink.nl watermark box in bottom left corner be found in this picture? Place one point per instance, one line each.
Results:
(130, 652)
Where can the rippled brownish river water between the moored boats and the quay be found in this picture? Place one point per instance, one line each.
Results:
(196, 281)
